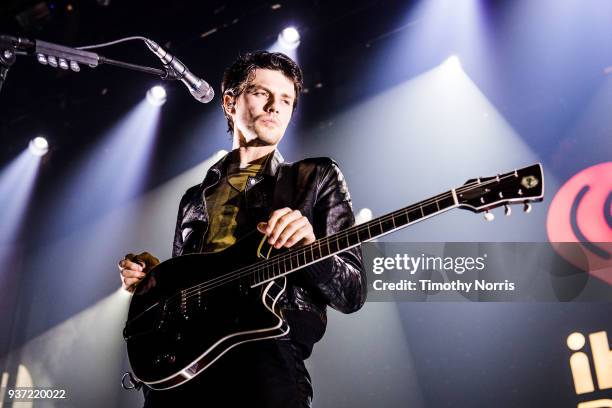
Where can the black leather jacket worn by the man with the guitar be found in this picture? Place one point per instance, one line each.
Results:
(316, 188)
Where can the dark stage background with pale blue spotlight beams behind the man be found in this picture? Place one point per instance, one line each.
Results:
(529, 81)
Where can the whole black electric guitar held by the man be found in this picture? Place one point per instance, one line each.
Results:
(190, 310)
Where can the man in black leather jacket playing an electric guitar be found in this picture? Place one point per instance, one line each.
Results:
(293, 204)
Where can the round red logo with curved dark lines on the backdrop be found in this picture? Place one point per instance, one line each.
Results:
(581, 211)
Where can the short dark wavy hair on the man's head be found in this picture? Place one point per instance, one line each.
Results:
(237, 76)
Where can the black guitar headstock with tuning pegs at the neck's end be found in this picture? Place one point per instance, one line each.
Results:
(521, 186)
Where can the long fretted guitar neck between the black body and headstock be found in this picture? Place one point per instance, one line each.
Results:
(297, 258)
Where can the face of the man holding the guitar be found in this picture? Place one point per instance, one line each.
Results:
(262, 112)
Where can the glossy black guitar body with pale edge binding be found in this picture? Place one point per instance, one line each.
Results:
(178, 325)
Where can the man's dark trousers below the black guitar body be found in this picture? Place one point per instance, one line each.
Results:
(262, 374)
